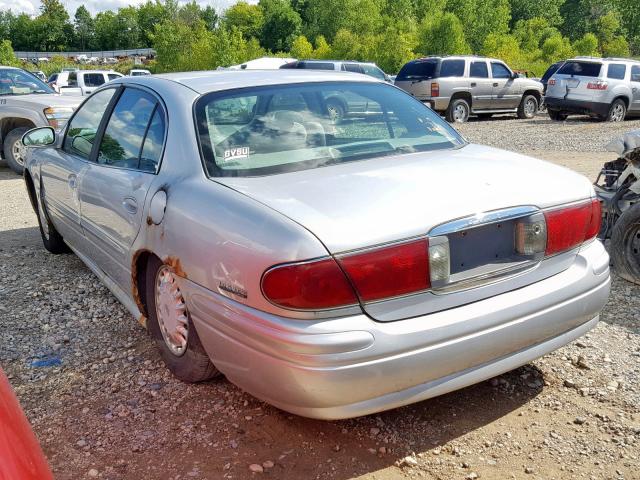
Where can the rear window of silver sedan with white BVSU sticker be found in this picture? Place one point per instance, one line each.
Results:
(284, 128)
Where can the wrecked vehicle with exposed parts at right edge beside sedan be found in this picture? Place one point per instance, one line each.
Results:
(618, 186)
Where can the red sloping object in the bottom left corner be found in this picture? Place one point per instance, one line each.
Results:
(21, 457)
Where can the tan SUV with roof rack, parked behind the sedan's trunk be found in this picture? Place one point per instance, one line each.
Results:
(459, 86)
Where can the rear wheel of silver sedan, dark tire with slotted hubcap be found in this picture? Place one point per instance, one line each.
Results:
(191, 364)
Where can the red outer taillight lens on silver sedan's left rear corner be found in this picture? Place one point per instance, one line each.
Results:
(312, 285)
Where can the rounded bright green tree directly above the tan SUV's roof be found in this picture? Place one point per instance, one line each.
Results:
(442, 34)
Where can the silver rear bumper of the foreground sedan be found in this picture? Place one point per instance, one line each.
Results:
(354, 366)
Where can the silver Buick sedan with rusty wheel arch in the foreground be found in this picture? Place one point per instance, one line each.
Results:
(331, 266)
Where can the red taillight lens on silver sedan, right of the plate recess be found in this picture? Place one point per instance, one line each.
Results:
(569, 227)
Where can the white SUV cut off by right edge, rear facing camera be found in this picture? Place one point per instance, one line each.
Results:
(605, 88)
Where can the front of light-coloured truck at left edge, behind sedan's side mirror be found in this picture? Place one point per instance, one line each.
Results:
(27, 102)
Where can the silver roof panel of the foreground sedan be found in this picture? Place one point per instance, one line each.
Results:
(218, 80)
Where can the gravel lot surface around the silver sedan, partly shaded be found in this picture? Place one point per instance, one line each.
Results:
(104, 406)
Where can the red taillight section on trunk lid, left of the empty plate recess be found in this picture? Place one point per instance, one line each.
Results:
(389, 271)
